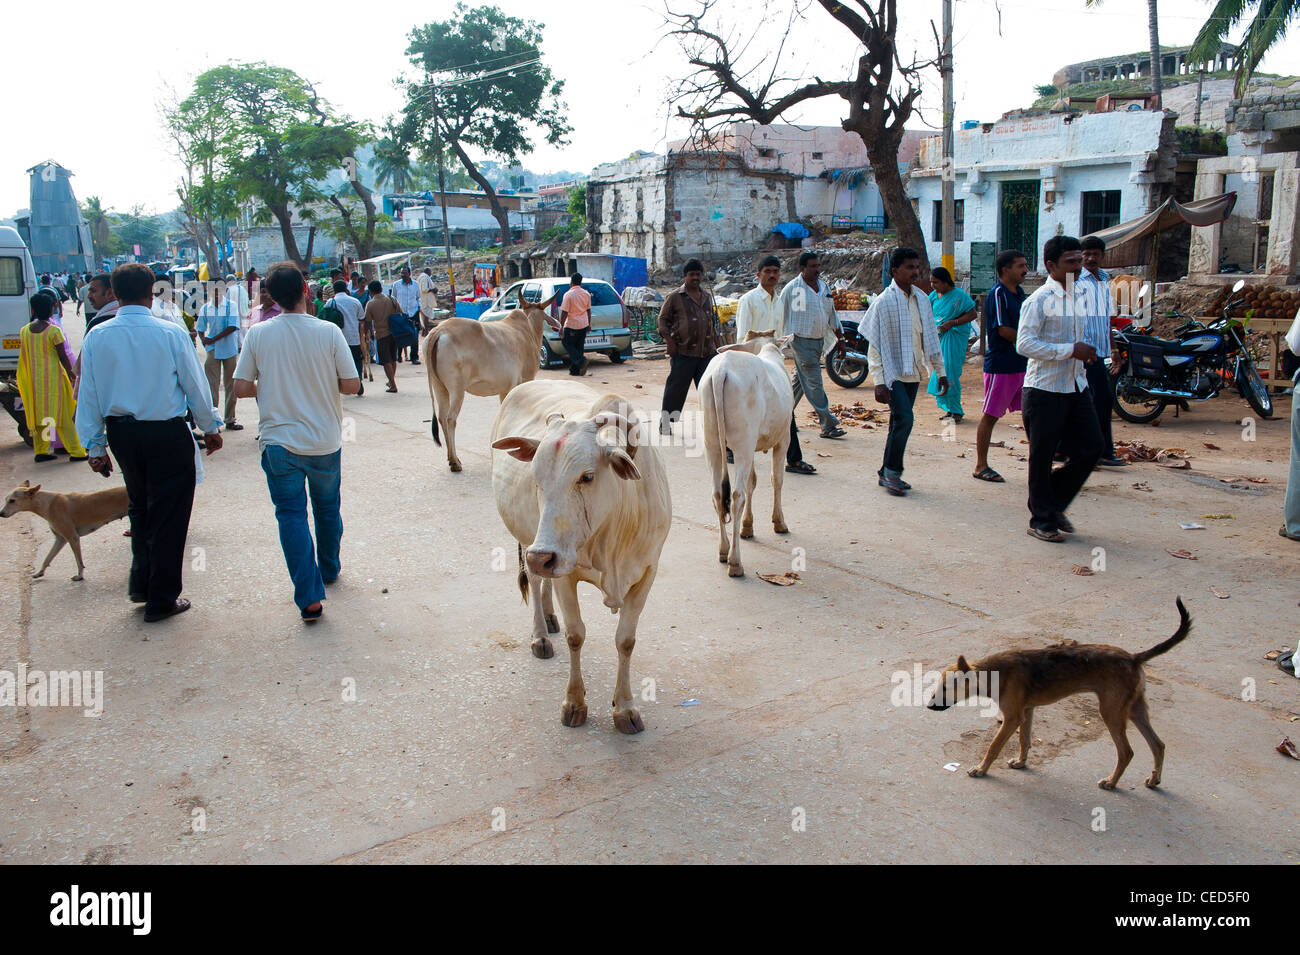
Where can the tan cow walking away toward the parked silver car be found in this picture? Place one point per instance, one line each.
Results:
(466, 357)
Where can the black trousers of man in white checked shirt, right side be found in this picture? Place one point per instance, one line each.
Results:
(1069, 422)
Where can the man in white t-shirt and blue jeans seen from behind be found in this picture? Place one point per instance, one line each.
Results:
(297, 367)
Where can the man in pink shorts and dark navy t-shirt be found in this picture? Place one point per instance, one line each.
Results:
(1004, 367)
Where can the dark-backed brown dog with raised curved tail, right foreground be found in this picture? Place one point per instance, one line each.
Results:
(1022, 680)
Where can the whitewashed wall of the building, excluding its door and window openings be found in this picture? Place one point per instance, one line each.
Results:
(1125, 151)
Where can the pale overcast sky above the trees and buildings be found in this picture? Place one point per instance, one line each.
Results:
(88, 77)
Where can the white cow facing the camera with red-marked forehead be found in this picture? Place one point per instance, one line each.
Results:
(588, 502)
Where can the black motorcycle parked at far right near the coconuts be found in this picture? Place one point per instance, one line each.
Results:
(1150, 374)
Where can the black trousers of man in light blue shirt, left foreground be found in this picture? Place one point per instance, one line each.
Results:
(158, 465)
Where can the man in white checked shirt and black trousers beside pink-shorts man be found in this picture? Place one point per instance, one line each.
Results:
(1058, 406)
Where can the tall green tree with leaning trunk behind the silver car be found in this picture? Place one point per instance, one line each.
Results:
(486, 89)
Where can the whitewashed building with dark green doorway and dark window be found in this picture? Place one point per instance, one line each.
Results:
(1029, 177)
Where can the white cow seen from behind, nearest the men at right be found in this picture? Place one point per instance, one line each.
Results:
(747, 401)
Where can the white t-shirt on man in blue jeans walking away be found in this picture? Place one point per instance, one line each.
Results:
(298, 362)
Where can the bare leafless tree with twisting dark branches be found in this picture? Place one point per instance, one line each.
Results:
(729, 86)
